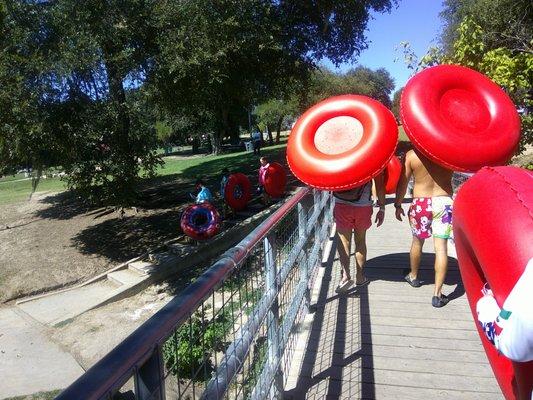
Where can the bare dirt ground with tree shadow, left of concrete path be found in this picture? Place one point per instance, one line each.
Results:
(50, 242)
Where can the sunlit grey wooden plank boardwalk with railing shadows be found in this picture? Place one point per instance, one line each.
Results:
(385, 340)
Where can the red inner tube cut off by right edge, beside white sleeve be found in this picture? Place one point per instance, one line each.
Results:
(493, 230)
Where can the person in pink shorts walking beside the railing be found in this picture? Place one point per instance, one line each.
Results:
(353, 213)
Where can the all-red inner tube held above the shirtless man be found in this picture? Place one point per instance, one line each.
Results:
(459, 118)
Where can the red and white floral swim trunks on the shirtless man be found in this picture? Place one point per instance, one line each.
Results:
(431, 216)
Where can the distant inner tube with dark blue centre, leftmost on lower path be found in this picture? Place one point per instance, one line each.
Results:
(200, 221)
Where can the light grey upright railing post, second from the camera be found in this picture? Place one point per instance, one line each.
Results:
(271, 283)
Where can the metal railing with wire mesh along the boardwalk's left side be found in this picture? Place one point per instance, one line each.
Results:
(228, 334)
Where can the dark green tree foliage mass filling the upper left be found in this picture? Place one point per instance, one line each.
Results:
(82, 83)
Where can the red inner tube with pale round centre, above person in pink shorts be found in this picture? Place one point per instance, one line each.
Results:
(342, 142)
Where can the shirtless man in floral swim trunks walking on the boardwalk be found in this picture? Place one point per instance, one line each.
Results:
(430, 214)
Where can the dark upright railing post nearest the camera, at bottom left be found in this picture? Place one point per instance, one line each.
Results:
(149, 382)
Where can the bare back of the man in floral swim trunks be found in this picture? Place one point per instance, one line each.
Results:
(430, 179)
